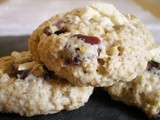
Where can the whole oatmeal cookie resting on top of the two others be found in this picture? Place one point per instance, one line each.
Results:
(95, 45)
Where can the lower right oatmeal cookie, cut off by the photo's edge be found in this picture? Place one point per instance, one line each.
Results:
(144, 90)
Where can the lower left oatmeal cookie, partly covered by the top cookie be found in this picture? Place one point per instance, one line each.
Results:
(28, 88)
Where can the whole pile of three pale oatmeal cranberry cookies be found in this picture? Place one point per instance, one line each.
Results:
(71, 53)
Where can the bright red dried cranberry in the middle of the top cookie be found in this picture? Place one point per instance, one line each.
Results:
(88, 39)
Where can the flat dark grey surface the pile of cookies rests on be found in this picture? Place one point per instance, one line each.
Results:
(99, 107)
